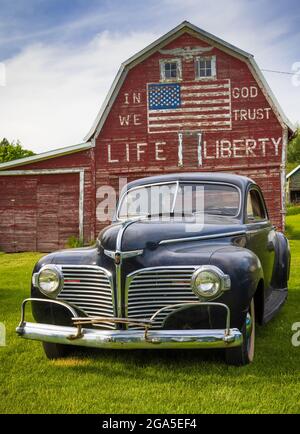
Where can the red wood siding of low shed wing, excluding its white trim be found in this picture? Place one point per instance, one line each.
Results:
(40, 212)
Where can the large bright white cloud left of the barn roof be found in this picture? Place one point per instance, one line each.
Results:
(53, 94)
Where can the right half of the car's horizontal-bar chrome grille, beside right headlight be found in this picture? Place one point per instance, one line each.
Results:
(151, 289)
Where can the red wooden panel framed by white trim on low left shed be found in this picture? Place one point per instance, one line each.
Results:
(37, 212)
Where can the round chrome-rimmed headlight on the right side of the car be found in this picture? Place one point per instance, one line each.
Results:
(209, 282)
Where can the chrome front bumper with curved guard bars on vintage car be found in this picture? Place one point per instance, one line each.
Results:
(127, 339)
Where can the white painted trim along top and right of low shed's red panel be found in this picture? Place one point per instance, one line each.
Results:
(56, 172)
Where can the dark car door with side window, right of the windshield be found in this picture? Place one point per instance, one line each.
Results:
(260, 233)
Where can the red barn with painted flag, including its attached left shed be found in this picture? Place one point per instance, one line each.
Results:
(187, 102)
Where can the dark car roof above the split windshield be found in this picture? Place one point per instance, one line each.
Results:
(218, 177)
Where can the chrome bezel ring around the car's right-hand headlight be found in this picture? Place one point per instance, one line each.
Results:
(222, 278)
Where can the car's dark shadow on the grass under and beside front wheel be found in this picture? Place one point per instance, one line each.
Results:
(272, 359)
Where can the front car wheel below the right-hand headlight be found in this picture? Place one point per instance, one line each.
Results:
(244, 354)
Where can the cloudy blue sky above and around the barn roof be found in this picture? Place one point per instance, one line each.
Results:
(58, 58)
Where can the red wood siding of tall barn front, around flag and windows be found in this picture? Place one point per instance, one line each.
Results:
(252, 146)
